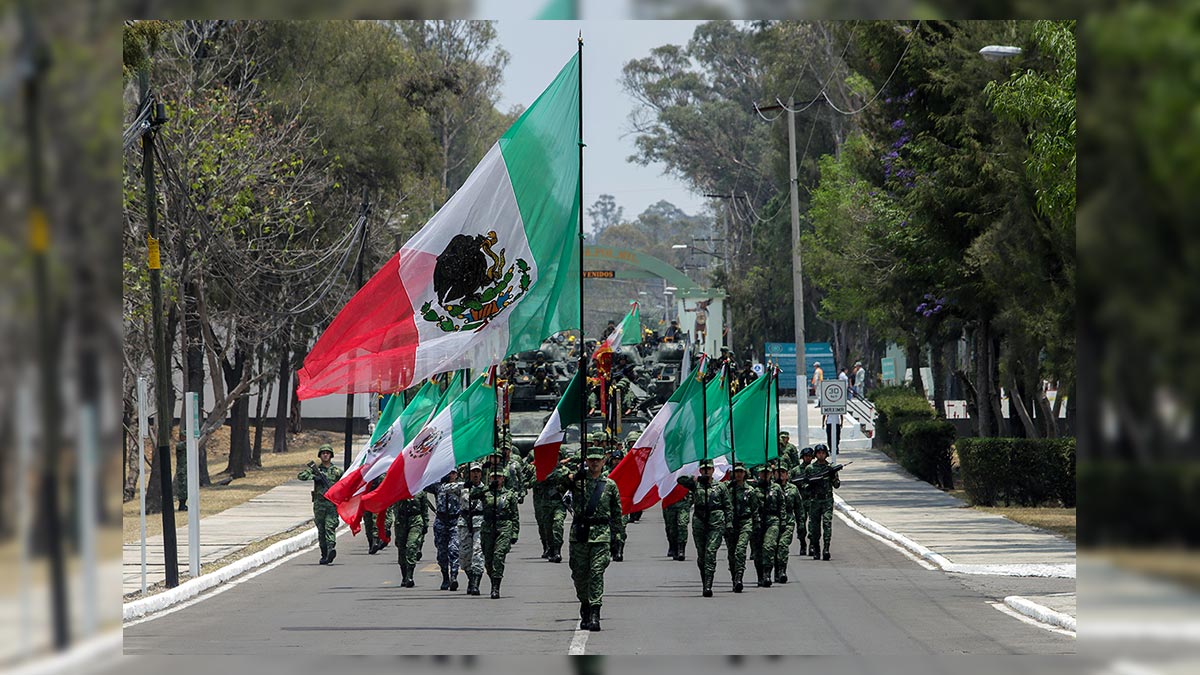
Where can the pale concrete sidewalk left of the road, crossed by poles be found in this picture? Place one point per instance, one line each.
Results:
(225, 534)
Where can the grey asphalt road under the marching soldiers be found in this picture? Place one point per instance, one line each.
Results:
(869, 600)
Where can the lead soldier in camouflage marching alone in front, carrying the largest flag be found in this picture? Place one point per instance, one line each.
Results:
(597, 518)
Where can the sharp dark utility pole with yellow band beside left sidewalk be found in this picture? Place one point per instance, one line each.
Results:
(164, 415)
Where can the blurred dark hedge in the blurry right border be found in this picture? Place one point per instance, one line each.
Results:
(1141, 506)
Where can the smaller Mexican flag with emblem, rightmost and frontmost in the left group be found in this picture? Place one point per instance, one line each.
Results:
(461, 433)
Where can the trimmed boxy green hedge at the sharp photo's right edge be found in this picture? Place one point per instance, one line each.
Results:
(1018, 471)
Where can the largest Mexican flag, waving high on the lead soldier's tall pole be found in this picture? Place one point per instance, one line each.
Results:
(494, 272)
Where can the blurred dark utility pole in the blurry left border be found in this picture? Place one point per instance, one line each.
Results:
(38, 59)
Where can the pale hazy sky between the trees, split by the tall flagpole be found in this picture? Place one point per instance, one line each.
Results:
(538, 52)
